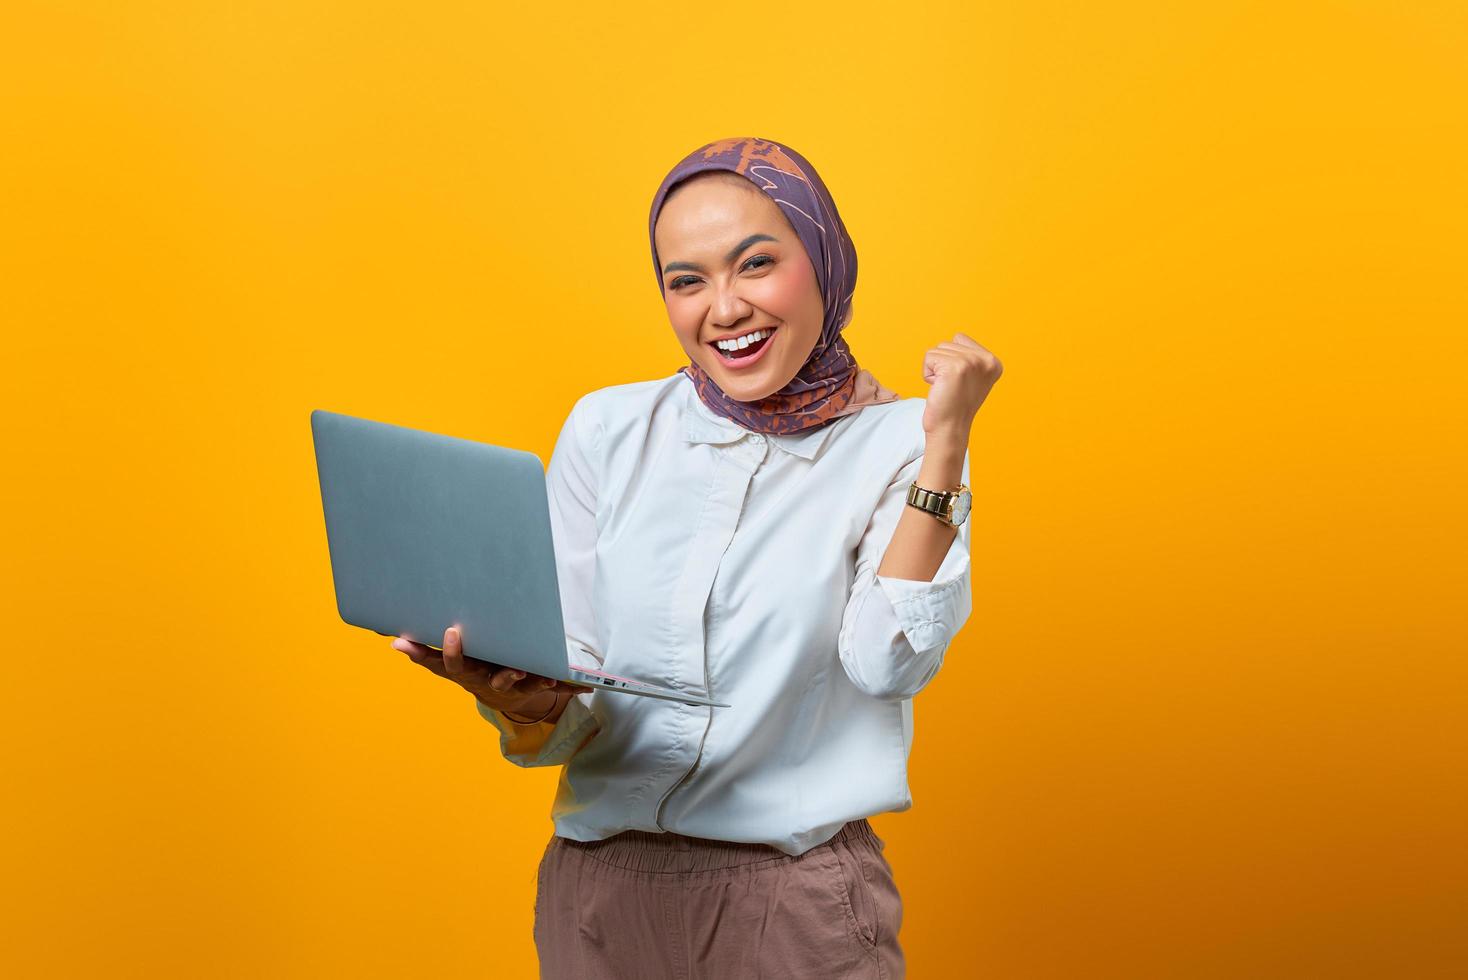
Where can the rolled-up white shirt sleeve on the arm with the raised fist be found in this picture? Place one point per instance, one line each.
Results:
(896, 632)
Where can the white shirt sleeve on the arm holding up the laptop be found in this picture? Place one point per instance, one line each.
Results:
(572, 497)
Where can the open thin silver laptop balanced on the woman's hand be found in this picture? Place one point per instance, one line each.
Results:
(426, 532)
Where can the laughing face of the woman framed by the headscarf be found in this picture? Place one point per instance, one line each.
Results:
(733, 266)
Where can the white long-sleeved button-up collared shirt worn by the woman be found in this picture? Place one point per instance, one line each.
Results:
(700, 555)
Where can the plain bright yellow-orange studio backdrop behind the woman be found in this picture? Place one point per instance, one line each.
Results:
(1207, 721)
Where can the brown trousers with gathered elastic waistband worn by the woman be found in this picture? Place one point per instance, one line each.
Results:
(667, 907)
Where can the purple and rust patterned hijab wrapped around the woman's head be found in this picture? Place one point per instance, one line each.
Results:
(830, 384)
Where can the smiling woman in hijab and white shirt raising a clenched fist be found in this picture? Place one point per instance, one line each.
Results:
(745, 530)
